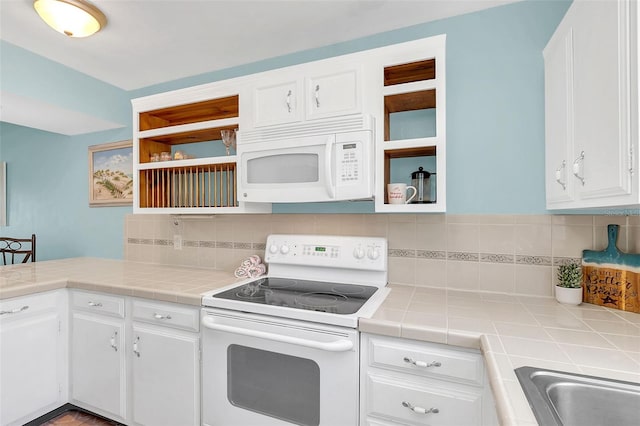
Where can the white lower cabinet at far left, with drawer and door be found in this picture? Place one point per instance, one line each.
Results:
(33, 346)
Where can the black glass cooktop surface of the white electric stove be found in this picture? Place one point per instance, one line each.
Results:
(320, 296)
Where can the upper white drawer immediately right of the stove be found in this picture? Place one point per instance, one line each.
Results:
(426, 360)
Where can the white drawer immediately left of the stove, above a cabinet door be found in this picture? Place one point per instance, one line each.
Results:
(167, 315)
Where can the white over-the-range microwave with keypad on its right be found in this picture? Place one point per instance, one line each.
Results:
(322, 160)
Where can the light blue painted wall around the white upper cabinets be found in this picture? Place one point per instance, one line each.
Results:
(495, 127)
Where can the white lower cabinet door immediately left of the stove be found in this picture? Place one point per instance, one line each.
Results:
(166, 377)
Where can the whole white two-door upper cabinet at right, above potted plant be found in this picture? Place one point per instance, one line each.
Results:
(591, 107)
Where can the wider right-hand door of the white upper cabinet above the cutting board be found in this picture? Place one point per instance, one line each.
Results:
(601, 99)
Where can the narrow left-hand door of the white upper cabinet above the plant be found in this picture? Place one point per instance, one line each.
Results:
(558, 56)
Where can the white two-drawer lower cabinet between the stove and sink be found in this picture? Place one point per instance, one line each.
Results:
(408, 382)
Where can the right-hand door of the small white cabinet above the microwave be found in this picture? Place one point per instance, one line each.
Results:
(332, 94)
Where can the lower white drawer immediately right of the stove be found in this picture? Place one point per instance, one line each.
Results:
(393, 399)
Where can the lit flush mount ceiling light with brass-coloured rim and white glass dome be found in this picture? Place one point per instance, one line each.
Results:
(74, 18)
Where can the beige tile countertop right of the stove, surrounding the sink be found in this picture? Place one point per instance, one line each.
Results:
(514, 331)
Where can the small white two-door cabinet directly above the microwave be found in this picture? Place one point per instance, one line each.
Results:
(297, 93)
